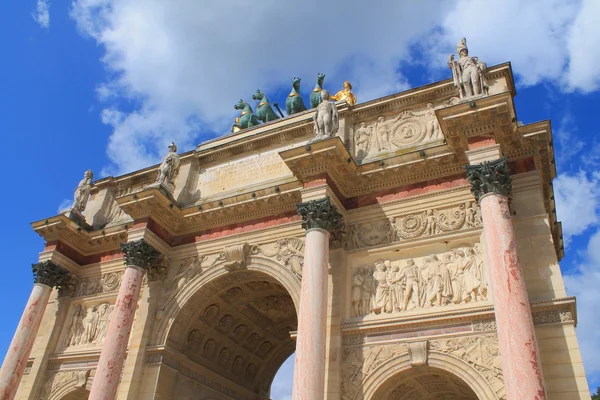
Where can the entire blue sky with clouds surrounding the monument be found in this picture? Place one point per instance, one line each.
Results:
(107, 84)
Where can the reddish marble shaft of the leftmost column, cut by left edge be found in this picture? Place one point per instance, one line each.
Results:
(20, 347)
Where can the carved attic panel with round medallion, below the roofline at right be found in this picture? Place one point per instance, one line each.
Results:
(409, 129)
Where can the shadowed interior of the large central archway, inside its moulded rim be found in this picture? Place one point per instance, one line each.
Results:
(230, 337)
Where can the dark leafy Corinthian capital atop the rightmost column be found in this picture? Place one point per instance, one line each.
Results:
(490, 177)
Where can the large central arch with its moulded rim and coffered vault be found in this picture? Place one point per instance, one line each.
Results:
(232, 324)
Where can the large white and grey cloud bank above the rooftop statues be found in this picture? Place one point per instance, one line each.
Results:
(184, 63)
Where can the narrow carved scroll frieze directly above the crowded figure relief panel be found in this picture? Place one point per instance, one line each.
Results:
(411, 226)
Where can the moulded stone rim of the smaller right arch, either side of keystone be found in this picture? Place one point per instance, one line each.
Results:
(454, 365)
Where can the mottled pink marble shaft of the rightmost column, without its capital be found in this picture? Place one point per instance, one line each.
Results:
(518, 347)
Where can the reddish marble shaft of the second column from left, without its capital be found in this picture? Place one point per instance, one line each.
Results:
(110, 365)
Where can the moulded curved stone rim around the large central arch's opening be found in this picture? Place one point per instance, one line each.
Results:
(267, 266)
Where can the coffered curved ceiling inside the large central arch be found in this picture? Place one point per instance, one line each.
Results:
(240, 330)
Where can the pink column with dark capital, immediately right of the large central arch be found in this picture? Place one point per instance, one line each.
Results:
(320, 218)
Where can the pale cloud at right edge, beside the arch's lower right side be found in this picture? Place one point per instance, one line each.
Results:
(583, 282)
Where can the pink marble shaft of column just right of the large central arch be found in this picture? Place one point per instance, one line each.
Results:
(309, 369)
